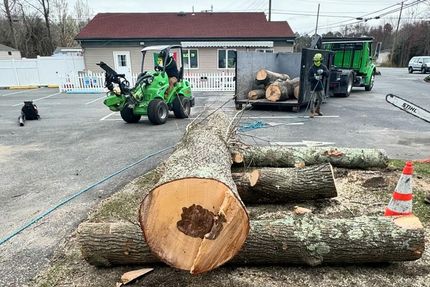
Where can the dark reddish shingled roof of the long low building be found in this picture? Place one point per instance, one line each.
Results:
(184, 26)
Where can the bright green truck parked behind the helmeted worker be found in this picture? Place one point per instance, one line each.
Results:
(353, 65)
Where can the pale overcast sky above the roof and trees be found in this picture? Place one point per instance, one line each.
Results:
(300, 14)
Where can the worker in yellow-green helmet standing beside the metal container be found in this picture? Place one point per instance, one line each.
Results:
(316, 75)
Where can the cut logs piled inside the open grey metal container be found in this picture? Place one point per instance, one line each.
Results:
(274, 87)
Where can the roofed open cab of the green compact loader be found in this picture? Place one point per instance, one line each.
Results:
(150, 56)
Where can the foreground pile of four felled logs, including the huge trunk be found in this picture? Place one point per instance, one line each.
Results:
(195, 217)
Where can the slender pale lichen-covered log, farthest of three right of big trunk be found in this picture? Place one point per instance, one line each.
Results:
(284, 156)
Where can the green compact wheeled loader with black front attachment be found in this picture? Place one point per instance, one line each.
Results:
(149, 96)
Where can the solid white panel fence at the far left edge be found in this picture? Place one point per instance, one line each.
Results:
(40, 71)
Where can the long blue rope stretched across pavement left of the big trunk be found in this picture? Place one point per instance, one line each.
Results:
(71, 197)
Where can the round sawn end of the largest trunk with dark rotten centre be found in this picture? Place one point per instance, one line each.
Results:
(193, 224)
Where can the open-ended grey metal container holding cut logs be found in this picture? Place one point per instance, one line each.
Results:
(293, 64)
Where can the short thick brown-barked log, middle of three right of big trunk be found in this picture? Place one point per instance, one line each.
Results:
(279, 185)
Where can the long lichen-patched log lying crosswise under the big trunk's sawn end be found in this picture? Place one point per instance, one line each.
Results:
(304, 239)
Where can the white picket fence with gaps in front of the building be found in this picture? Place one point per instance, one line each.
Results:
(94, 82)
